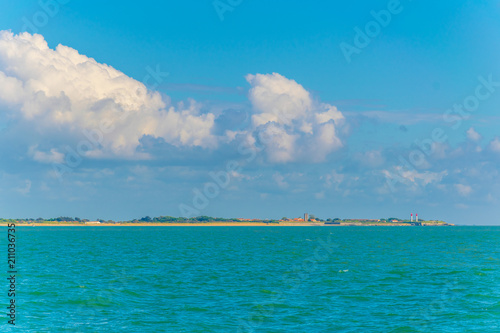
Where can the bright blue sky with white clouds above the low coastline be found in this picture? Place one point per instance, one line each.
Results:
(338, 131)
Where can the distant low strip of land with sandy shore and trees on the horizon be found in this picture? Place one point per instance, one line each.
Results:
(306, 220)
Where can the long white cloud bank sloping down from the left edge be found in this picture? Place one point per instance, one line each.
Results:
(61, 88)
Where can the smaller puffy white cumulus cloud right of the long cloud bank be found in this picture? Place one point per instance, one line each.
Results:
(290, 123)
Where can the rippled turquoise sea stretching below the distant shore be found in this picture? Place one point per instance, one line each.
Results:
(255, 279)
